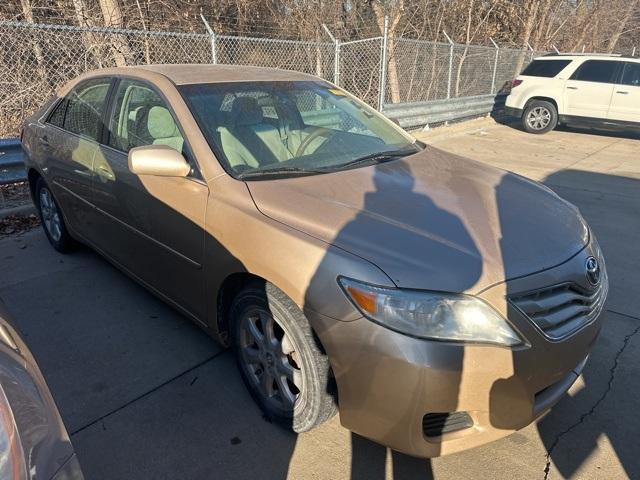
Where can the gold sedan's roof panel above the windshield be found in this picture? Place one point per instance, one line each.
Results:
(184, 74)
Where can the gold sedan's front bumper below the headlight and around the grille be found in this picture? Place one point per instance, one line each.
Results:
(388, 382)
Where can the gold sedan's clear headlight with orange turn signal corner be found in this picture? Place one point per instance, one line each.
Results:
(432, 315)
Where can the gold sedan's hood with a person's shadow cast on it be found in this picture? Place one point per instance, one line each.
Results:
(432, 221)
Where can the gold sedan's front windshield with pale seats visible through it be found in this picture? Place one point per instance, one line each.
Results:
(262, 129)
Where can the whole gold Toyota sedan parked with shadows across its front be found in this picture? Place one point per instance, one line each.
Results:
(436, 302)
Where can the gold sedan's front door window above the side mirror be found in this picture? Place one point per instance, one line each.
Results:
(141, 117)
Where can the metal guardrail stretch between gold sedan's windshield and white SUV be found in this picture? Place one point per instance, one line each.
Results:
(420, 114)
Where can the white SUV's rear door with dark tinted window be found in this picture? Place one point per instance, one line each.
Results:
(589, 90)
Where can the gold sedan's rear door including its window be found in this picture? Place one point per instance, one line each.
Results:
(70, 140)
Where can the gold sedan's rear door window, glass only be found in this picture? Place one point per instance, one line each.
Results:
(85, 105)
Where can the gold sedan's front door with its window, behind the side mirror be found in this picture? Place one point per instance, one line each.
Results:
(153, 226)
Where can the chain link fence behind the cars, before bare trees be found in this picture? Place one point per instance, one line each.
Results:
(37, 59)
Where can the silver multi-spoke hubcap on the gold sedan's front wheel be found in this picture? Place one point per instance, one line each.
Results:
(270, 359)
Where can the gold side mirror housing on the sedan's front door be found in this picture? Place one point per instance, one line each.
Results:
(159, 160)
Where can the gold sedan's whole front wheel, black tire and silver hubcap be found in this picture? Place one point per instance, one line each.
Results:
(260, 308)
